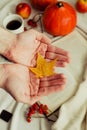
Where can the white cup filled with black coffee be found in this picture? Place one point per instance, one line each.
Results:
(14, 23)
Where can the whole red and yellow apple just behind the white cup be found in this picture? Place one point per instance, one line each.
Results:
(23, 9)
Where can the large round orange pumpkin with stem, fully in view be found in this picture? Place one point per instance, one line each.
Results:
(59, 18)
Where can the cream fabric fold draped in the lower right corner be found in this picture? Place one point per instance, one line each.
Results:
(73, 112)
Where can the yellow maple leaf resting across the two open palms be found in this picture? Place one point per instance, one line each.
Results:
(43, 67)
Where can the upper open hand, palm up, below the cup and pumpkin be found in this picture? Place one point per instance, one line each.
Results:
(29, 43)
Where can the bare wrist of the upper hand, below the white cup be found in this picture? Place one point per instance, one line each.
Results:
(6, 40)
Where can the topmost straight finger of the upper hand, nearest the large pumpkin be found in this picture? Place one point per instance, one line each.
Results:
(57, 50)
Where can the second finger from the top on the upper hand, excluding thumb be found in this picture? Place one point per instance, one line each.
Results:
(52, 55)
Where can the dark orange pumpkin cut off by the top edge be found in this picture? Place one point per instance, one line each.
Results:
(41, 4)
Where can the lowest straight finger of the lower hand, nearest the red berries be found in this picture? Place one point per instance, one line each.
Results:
(48, 90)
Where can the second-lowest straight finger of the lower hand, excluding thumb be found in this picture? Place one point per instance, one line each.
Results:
(52, 82)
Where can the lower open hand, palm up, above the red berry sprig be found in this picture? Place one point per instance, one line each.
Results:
(25, 87)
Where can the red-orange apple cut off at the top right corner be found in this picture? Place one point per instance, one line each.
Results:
(81, 6)
